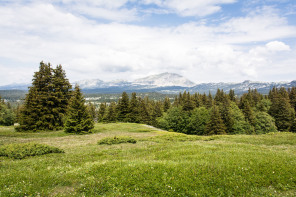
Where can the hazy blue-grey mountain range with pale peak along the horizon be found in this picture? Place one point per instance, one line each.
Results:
(164, 83)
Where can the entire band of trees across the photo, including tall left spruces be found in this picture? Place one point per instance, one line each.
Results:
(52, 104)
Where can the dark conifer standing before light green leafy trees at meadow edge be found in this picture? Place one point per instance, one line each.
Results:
(215, 126)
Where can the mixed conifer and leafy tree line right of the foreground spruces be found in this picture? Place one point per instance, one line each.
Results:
(204, 114)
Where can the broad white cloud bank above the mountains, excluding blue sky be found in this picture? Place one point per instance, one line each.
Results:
(87, 49)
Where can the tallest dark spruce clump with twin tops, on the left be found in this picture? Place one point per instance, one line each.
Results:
(46, 101)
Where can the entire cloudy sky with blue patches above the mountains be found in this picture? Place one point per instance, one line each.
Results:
(205, 41)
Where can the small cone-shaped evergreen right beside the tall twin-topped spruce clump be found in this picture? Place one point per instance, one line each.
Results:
(78, 118)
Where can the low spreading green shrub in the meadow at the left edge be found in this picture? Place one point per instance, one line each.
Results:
(20, 151)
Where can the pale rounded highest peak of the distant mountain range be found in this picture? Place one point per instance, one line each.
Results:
(165, 79)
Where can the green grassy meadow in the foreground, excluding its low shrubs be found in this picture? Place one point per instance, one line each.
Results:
(160, 164)
